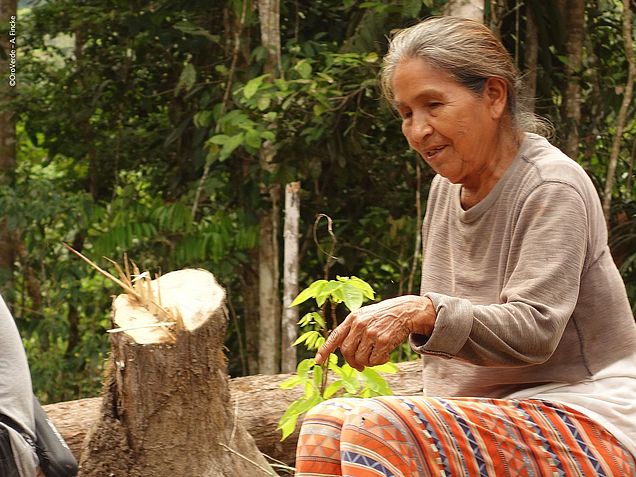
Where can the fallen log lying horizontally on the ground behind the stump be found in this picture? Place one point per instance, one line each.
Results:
(258, 401)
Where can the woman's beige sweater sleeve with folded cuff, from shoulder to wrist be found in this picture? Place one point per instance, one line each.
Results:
(543, 273)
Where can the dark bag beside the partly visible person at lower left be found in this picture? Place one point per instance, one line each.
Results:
(56, 459)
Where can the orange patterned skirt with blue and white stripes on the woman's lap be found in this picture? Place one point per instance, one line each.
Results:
(418, 436)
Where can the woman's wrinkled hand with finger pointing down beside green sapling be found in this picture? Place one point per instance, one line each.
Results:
(368, 335)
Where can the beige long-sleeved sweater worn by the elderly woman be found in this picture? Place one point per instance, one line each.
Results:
(524, 285)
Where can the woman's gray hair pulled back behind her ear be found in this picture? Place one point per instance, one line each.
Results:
(470, 53)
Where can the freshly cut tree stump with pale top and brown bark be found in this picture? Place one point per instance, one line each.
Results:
(166, 407)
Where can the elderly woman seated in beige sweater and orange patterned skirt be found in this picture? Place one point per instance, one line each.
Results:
(526, 334)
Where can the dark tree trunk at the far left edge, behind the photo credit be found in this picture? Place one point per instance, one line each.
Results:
(8, 64)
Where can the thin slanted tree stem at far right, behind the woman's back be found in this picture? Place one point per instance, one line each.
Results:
(622, 114)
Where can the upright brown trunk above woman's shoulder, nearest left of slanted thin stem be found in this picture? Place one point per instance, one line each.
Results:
(573, 12)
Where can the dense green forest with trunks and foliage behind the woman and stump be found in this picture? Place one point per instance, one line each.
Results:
(173, 131)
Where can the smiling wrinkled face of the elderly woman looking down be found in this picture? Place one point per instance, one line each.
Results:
(447, 124)
